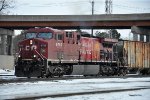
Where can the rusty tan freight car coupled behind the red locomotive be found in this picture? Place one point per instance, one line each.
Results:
(137, 55)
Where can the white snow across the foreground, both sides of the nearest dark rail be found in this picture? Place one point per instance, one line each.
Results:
(40, 88)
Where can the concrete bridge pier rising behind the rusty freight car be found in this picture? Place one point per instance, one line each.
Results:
(142, 32)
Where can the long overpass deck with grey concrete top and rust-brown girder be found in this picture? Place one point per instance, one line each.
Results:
(117, 21)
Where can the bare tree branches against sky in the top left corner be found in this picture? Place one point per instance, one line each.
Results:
(6, 4)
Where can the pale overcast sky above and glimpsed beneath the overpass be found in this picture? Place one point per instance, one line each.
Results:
(79, 7)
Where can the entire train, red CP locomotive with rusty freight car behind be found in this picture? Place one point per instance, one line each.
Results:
(48, 52)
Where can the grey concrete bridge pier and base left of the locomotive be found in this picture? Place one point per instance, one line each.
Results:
(6, 49)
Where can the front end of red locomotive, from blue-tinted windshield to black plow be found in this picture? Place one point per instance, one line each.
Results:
(33, 53)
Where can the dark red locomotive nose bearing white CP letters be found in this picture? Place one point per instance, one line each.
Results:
(33, 48)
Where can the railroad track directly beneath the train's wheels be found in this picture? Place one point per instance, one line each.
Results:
(15, 80)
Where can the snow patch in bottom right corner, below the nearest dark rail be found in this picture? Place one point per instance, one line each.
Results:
(130, 95)
